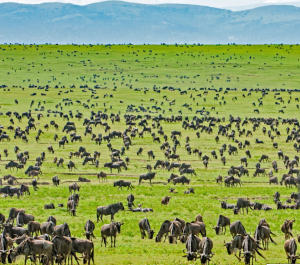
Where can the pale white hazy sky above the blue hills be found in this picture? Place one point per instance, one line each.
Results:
(213, 3)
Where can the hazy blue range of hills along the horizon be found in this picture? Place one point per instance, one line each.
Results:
(122, 22)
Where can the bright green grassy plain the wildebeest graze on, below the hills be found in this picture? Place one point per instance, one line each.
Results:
(134, 75)
